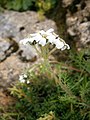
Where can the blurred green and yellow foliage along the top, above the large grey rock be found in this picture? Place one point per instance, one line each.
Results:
(22, 5)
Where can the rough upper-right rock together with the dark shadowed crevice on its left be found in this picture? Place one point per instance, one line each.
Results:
(73, 17)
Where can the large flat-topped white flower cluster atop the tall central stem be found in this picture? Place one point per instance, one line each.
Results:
(44, 37)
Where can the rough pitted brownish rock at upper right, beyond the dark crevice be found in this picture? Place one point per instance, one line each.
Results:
(78, 21)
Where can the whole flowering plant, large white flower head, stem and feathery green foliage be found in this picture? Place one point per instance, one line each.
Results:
(50, 91)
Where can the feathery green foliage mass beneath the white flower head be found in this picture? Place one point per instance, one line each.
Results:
(61, 92)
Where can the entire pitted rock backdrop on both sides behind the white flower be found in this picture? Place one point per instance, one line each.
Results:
(71, 18)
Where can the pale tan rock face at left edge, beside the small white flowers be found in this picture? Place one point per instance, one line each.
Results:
(10, 69)
